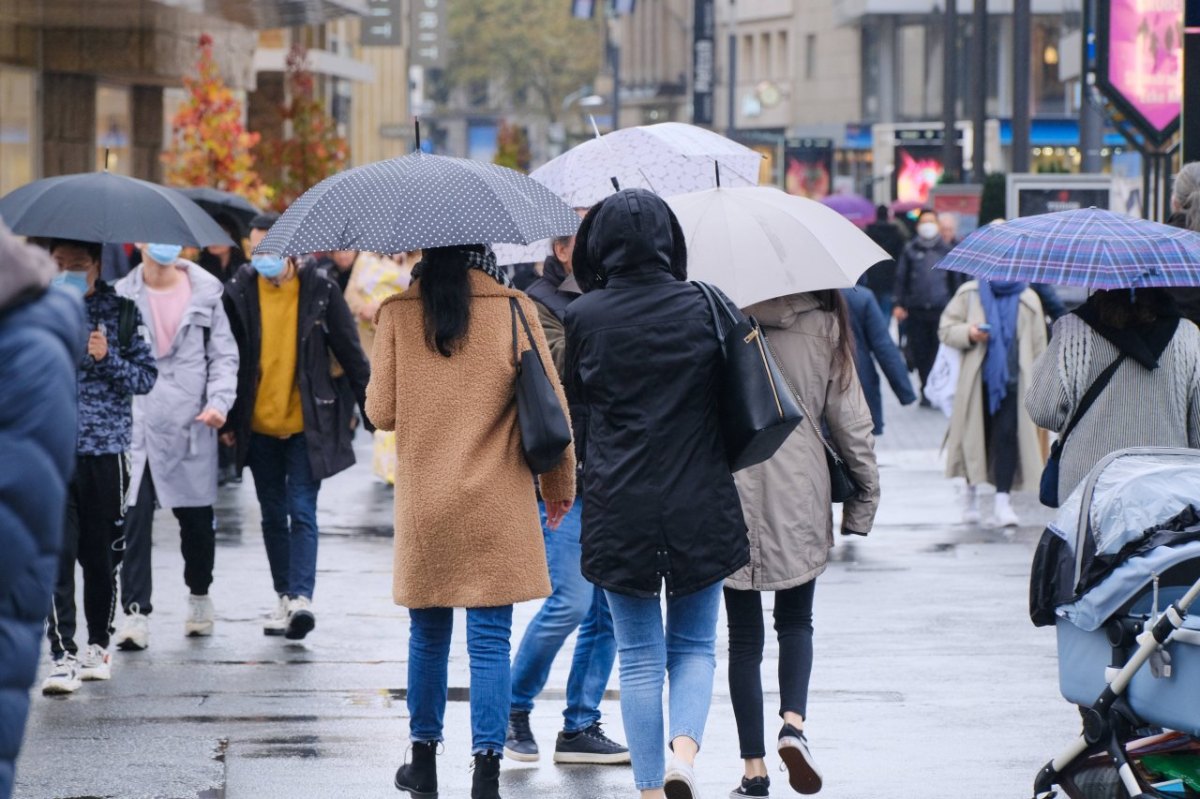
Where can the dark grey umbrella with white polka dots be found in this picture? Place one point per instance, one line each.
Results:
(418, 202)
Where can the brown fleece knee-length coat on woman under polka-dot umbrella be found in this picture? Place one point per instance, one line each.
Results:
(469, 533)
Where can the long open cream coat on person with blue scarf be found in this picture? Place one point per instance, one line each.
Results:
(967, 453)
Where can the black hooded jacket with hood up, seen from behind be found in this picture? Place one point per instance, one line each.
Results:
(643, 371)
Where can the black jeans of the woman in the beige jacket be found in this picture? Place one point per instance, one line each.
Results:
(794, 626)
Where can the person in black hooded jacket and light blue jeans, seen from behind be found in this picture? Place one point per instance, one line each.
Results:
(659, 502)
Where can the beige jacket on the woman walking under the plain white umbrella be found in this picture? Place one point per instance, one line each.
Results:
(787, 500)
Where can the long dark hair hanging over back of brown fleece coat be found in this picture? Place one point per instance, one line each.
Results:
(446, 297)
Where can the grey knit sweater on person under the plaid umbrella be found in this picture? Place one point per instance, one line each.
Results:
(1138, 408)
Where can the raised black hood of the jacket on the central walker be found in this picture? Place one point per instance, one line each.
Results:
(632, 232)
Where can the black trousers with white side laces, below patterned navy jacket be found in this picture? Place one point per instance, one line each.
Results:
(93, 536)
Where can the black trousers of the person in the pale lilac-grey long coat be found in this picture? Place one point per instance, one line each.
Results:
(197, 539)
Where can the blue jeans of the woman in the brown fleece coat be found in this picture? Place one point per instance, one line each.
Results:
(429, 656)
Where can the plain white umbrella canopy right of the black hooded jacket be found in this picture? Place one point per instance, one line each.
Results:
(757, 243)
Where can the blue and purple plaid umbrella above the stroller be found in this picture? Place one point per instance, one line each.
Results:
(1089, 248)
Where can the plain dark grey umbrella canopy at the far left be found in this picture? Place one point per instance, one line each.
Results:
(107, 208)
